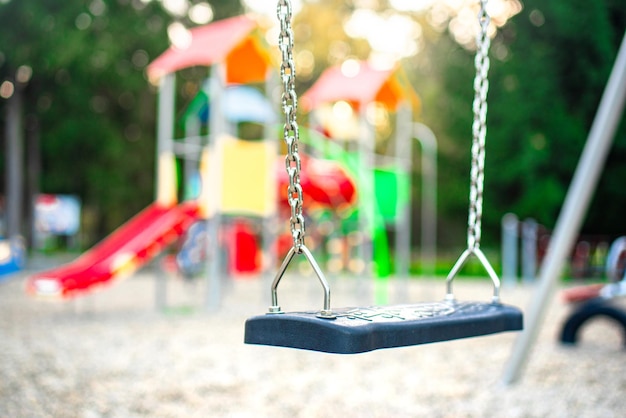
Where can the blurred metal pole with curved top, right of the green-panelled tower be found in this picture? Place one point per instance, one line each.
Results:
(428, 142)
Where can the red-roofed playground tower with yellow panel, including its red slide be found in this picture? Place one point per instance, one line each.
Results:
(231, 183)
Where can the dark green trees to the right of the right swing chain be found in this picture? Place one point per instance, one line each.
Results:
(552, 63)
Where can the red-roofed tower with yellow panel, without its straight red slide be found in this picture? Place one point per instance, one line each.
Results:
(241, 176)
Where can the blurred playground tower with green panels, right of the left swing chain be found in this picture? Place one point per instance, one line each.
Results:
(346, 102)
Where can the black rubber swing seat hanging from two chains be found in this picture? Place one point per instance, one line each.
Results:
(358, 330)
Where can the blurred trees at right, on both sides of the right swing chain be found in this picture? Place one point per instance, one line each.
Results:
(549, 67)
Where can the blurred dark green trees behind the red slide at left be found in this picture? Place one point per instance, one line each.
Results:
(89, 94)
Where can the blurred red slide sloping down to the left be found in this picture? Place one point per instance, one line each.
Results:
(126, 249)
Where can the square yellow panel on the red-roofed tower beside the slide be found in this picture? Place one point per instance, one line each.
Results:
(248, 185)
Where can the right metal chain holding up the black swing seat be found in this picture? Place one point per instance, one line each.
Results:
(479, 129)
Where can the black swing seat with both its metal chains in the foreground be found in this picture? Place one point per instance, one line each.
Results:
(357, 330)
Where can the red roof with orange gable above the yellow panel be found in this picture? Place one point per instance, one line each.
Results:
(231, 41)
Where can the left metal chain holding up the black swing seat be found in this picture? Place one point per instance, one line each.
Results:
(290, 131)
